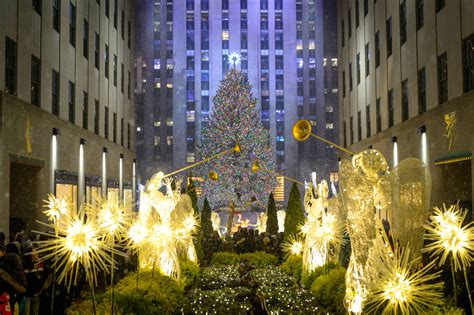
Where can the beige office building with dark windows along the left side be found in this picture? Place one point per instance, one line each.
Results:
(66, 105)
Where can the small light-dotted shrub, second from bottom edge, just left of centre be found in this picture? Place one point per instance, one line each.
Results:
(218, 277)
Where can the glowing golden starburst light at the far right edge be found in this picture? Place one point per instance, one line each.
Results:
(447, 235)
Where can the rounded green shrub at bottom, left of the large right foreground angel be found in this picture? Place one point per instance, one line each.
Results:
(330, 289)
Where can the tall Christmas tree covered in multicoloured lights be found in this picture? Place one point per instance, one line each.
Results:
(235, 119)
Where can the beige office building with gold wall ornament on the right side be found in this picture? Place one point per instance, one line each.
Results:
(406, 73)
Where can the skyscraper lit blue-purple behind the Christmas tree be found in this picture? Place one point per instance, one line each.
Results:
(183, 55)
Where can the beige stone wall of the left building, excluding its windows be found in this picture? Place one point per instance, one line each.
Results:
(33, 32)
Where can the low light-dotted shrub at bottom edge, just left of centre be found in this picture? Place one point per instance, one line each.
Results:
(221, 301)
